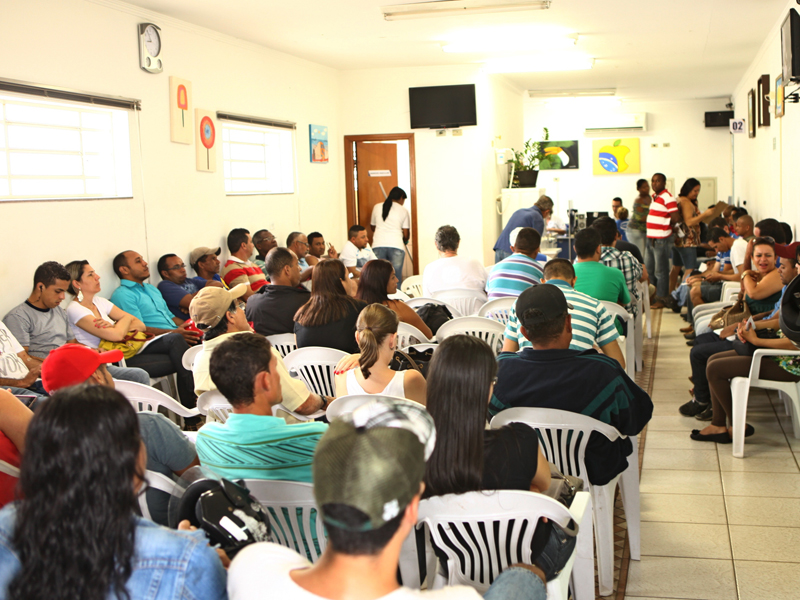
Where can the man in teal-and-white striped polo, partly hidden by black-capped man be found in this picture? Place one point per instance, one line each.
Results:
(592, 325)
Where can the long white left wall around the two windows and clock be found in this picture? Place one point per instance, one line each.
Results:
(92, 47)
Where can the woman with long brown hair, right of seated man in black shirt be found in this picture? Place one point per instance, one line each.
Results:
(328, 319)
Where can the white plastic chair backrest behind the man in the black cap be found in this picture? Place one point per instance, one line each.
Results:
(563, 435)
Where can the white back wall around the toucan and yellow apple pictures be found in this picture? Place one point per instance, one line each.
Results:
(694, 150)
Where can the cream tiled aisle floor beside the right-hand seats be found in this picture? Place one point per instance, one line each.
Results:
(714, 526)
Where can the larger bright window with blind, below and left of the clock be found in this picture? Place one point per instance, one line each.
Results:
(52, 149)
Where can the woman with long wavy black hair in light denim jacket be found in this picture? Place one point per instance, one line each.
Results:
(74, 533)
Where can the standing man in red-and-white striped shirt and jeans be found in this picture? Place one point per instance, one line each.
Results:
(663, 212)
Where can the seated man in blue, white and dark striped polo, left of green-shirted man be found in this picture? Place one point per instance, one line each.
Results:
(515, 274)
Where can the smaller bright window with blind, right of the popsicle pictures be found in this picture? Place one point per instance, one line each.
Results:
(257, 158)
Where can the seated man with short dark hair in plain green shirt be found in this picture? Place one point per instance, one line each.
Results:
(593, 277)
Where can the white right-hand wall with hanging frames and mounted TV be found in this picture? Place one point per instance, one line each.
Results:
(766, 166)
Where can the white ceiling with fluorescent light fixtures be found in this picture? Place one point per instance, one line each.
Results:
(670, 49)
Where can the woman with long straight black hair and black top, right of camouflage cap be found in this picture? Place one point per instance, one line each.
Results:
(467, 457)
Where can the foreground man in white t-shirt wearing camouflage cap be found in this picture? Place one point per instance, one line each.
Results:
(368, 470)
